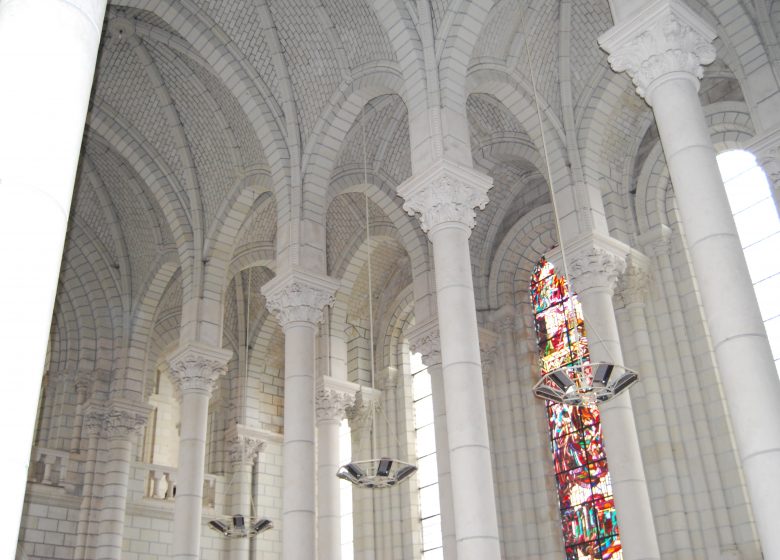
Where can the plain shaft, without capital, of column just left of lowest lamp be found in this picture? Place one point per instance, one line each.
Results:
(188, 506)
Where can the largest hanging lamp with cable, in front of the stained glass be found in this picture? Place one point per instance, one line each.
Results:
(580, 384)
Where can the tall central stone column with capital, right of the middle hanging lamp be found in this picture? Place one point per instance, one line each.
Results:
(445, 196)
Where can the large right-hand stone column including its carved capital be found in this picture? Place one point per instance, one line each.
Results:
(662, 48)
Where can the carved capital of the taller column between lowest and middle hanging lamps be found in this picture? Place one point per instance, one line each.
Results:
(299, 297)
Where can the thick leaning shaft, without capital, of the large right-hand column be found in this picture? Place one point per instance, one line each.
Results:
(741, 347)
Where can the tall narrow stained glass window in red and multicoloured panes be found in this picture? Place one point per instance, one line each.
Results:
(590, 529)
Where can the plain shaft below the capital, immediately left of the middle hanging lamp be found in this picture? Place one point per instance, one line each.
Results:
(329, 507)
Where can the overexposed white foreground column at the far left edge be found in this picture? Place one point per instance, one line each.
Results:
(47, 61)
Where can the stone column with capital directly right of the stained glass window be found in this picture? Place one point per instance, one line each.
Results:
(594, 271)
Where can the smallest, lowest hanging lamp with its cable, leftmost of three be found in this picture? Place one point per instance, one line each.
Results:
(238, 525)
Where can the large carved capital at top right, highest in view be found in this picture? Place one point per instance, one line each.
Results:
(664, 37)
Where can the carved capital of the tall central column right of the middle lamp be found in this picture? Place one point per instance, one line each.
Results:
(445, 193)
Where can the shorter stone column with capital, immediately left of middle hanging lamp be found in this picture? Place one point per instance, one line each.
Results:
(331, 410)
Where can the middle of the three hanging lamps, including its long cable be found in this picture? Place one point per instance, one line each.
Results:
(383, 472)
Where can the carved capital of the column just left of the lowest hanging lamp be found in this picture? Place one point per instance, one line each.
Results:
(196, 368)
